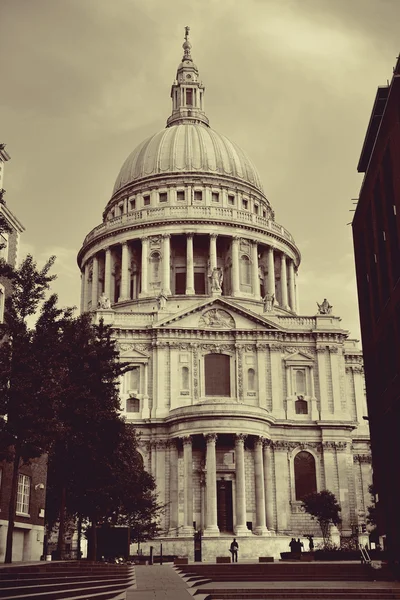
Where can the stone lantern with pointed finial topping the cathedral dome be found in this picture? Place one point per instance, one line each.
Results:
(187, 92)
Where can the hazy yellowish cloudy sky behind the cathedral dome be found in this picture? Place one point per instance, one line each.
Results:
(292, 82)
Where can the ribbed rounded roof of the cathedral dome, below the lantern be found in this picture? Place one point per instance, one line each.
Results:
(187, 147)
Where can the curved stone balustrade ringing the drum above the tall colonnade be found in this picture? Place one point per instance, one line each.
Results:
(172, 213)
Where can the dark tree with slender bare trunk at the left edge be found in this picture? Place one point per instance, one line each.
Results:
(26, 429)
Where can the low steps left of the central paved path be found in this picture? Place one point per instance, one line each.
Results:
(80, 580)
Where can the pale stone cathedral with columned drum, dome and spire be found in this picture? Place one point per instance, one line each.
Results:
(243, 405)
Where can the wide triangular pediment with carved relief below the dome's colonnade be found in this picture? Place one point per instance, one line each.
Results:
(217, 314)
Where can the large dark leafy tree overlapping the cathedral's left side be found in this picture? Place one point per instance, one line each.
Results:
(94, 462)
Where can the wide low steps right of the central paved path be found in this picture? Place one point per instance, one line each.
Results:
(288, 581)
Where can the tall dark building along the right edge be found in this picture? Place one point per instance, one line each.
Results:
(376, 235)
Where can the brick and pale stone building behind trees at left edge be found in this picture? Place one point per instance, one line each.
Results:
(29, 518)
